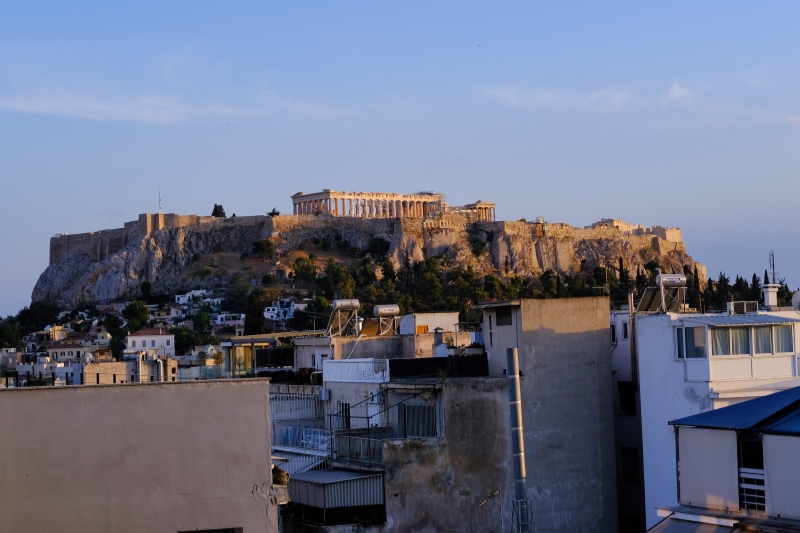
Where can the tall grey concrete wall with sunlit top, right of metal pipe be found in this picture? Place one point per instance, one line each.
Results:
(565, 356)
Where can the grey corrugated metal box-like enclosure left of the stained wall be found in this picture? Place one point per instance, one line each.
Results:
(327, 489)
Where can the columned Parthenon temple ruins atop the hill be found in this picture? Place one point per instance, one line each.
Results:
(385, 205)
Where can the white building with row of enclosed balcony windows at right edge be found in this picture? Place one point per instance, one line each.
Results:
(689, 363)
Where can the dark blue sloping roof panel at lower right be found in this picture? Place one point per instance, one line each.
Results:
(745, 415)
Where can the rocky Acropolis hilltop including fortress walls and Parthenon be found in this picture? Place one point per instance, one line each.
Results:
(163, 249)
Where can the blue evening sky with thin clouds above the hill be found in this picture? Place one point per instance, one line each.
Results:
(680, 113)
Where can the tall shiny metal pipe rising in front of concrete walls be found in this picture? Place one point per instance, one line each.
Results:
(521, 520)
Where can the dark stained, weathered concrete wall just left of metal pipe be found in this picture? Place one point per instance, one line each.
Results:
(436, 484)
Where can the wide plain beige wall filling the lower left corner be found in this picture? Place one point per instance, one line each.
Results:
(151, 457)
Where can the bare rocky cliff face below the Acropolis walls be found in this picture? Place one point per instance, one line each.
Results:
(166, 257)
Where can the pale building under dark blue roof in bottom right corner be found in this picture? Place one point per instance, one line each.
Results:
(737, 468)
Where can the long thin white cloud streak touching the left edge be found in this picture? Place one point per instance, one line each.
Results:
(146, 109)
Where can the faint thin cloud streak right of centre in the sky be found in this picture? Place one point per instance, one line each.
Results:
(598, 102)
